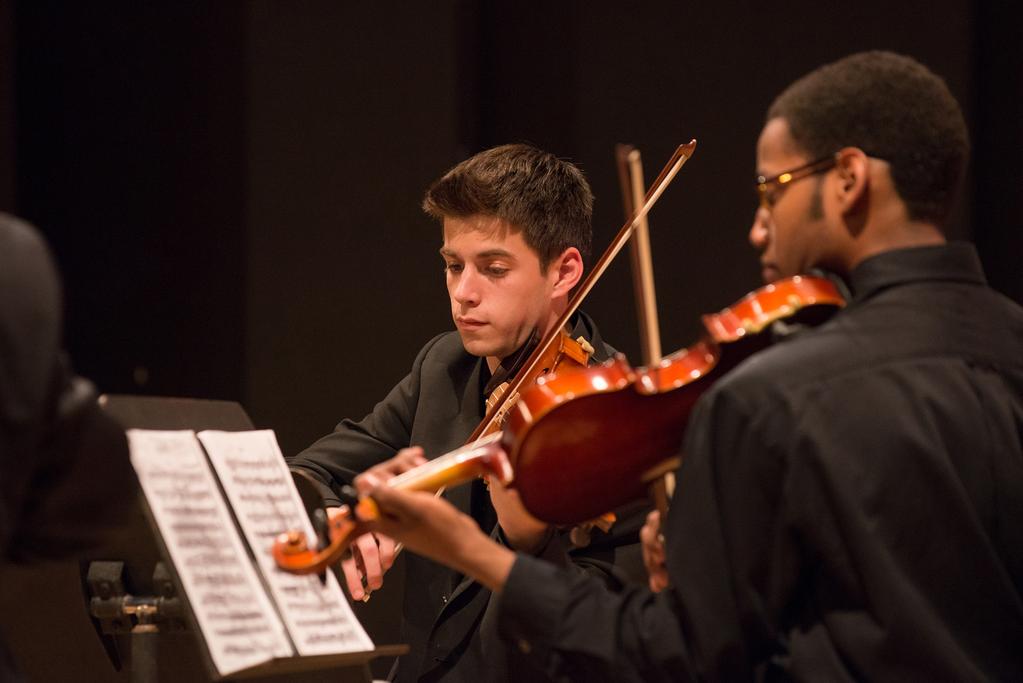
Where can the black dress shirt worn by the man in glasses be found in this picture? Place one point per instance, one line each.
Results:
(850, 508)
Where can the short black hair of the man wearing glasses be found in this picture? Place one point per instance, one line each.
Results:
(893, 108)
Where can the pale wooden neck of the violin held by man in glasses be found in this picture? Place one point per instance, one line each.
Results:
(483, 459)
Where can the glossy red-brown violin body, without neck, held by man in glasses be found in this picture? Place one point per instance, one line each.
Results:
(593, 440)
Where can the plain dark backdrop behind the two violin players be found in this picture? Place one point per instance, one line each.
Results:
(233, 189)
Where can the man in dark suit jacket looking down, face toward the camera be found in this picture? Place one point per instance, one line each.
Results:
(517, 232)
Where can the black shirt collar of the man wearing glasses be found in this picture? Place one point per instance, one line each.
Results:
(952, 262)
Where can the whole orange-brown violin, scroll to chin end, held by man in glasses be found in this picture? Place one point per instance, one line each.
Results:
(582, 442)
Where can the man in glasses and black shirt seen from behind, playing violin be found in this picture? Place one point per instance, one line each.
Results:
(851, 502)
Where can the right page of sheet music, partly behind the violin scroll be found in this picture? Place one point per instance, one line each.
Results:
(260, 489)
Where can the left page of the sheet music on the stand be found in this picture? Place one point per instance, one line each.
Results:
(231, 605)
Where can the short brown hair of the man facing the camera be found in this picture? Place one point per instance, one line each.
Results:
(546, 198)
